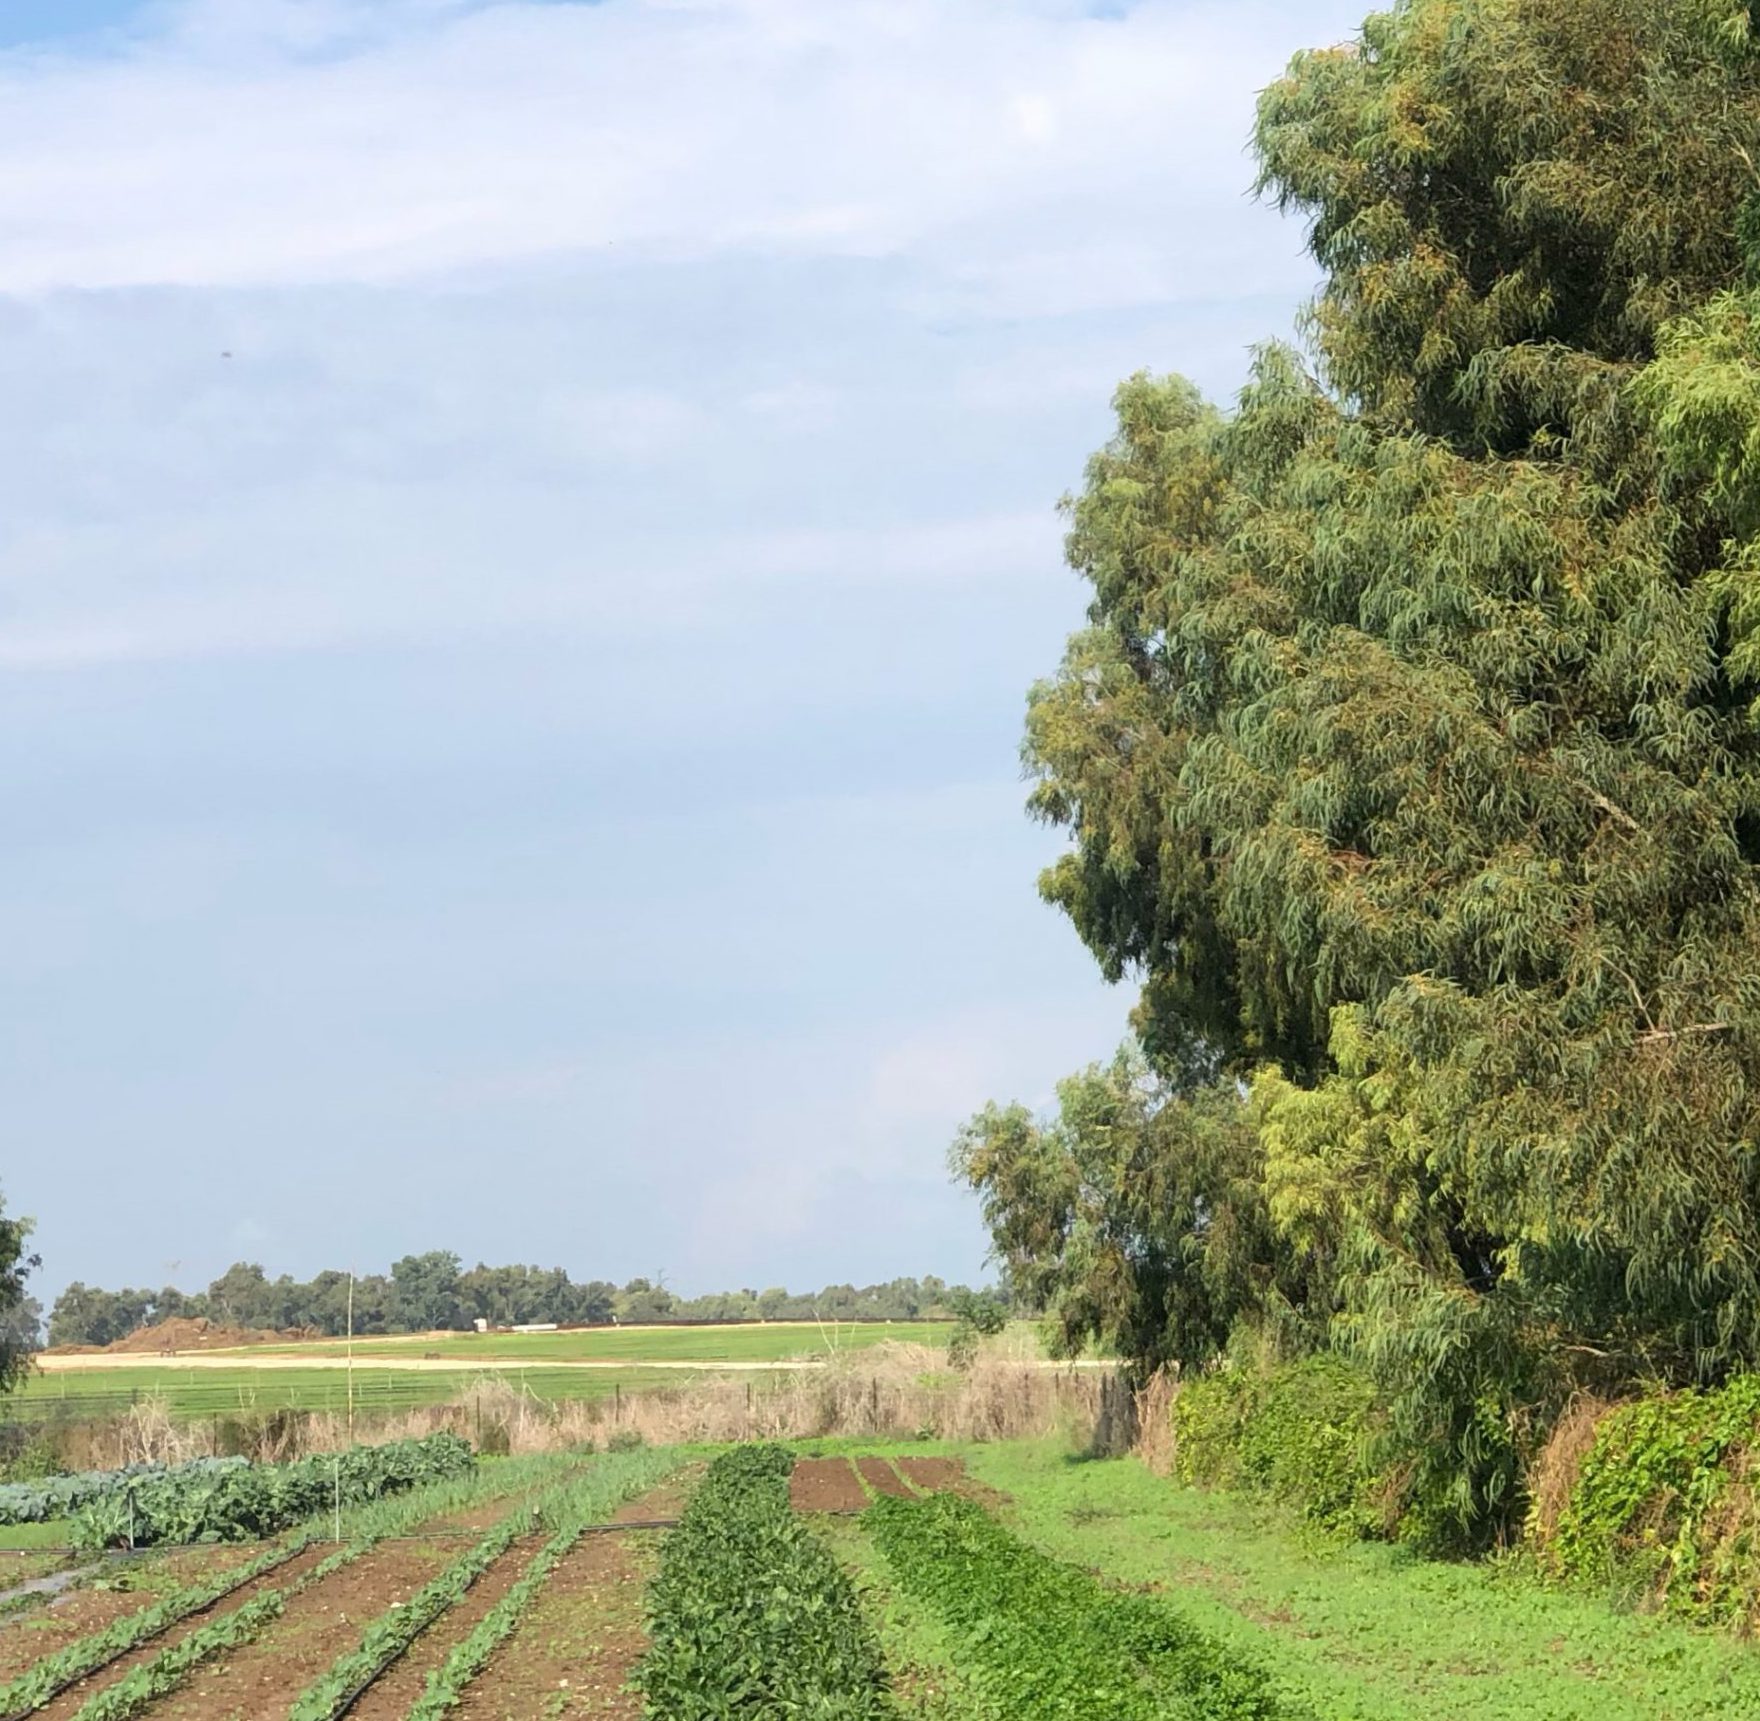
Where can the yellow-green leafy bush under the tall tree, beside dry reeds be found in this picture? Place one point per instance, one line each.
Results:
(1302, 1435)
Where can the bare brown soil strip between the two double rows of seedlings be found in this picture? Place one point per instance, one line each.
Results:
(263, 1680)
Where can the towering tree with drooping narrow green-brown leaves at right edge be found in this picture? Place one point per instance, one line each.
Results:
(1411, 752)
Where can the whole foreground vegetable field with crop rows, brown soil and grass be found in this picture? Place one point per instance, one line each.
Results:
(877, 1581)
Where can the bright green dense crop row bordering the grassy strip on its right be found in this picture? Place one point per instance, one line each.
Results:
(1045, 1641)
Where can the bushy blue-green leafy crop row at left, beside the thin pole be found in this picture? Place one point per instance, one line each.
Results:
(242, 1504)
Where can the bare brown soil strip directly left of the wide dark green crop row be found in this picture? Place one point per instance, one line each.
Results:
(576, 1648)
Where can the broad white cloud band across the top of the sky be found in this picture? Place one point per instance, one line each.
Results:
(265, 142)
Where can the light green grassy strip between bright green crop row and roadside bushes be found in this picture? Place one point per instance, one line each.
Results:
(1367, 1632)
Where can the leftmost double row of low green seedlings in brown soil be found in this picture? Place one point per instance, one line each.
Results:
(363, 1528)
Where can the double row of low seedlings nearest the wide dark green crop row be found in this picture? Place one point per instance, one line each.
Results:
(566, 1511)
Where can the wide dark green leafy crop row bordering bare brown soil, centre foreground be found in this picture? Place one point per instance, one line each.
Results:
(751, 1615)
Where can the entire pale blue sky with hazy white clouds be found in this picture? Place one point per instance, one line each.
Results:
(527, 534)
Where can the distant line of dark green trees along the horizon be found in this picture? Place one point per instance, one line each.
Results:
(427, 1293)
